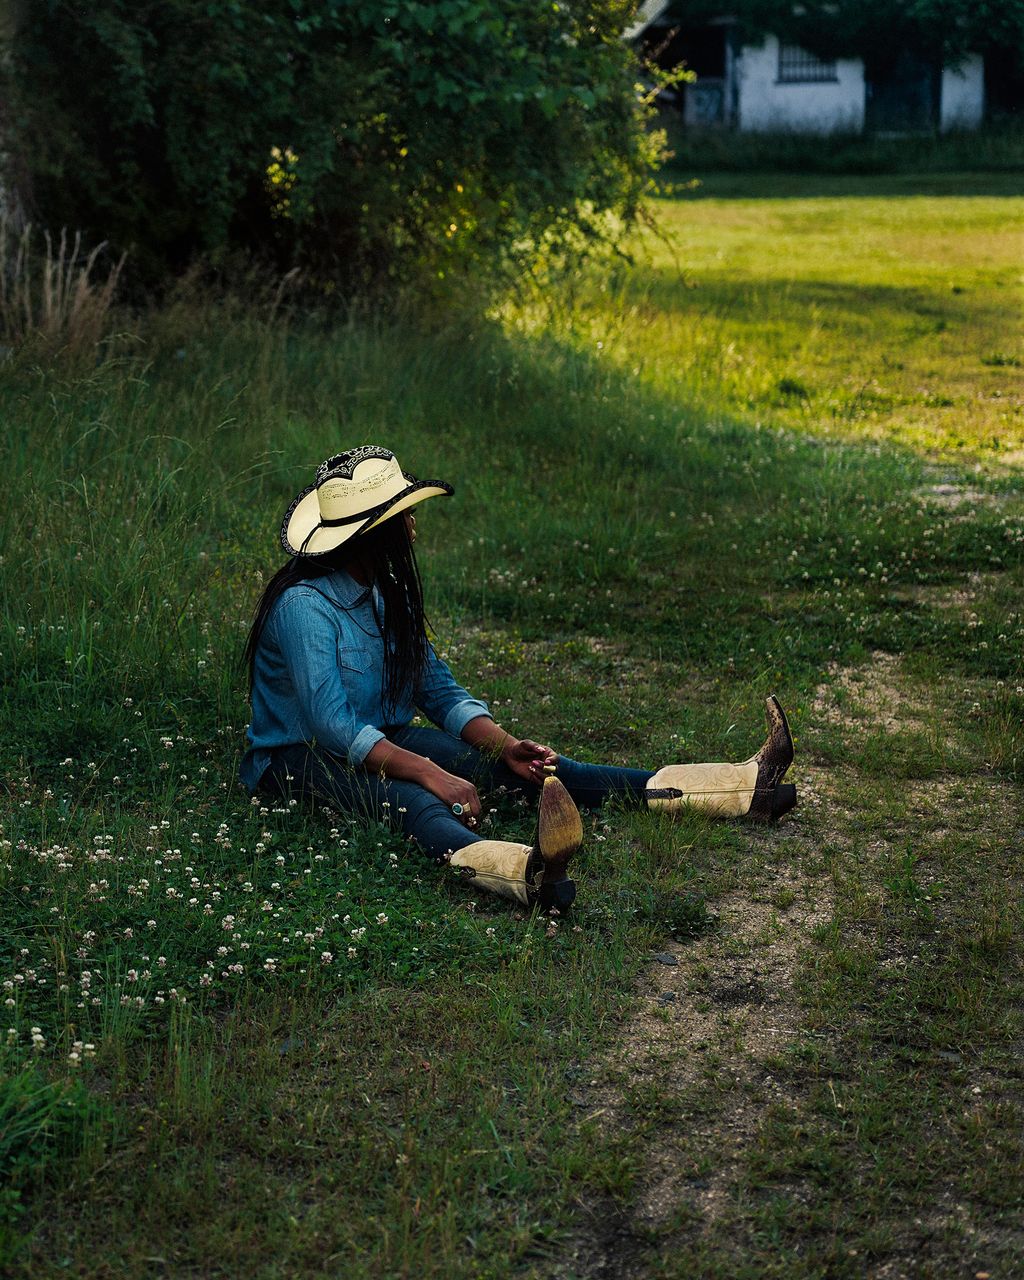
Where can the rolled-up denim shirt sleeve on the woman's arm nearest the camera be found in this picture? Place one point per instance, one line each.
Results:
(310, 643)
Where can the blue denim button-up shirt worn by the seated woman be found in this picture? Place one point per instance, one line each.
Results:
(318, 678)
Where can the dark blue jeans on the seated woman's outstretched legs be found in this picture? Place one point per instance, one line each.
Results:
(314, 775)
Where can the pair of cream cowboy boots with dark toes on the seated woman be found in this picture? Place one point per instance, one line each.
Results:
(537, 875)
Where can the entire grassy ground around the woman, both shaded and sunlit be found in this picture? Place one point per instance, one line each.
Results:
(728, 472)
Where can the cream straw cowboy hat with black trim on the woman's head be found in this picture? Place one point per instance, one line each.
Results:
(354, 492)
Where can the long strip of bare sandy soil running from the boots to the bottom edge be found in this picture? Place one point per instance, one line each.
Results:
(712, 1012)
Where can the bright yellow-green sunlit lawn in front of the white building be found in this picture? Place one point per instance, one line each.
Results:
(880, 310)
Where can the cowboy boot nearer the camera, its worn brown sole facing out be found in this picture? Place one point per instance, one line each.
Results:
(533, 876)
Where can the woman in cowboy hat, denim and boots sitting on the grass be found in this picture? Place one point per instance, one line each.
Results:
(340, 661)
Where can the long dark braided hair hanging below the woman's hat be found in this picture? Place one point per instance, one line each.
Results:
(385, 556)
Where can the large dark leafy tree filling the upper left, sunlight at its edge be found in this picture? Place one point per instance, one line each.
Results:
(362, 141)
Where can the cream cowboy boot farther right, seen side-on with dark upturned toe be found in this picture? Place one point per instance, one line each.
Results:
(753, 789)
